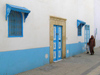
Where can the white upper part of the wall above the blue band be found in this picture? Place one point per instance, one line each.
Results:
(36, 28)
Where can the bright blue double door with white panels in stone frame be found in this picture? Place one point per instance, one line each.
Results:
(57, 43)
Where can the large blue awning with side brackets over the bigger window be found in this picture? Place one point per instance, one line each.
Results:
(16, 8)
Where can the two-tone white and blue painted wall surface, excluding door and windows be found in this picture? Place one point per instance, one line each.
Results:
(17, 54)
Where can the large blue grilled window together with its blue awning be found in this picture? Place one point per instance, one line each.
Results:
(15, 19)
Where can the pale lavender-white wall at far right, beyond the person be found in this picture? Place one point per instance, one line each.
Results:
(97, 21)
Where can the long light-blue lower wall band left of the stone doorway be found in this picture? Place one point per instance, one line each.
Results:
(13, 62)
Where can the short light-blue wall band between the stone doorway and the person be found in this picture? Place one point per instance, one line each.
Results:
(74, 49)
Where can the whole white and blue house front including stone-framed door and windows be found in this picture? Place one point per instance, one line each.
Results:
(31, 45)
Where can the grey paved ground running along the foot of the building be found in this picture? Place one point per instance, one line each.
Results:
(82, 64)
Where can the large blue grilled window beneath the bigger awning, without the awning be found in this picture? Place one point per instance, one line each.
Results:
(15, 24)
